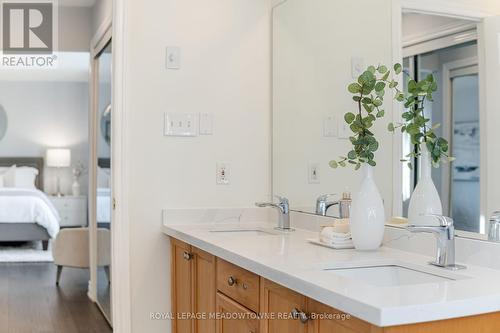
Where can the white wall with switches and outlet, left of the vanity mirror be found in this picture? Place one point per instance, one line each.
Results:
(225, 71)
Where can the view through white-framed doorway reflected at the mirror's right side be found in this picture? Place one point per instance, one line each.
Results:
(453, 62)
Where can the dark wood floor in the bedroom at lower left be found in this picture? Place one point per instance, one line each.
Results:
(30, 302)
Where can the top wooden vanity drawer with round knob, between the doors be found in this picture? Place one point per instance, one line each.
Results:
(239, 284)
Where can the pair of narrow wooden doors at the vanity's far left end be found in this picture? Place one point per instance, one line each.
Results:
(193, 289)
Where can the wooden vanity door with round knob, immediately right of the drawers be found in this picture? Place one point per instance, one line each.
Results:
(285, 309)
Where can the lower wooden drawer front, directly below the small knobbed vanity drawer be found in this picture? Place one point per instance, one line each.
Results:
(235, 318)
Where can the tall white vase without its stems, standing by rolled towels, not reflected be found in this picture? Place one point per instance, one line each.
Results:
(367, 214)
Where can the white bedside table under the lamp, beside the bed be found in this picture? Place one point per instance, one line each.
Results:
(72, 210)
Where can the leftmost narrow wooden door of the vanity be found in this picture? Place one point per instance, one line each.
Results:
(182, 287)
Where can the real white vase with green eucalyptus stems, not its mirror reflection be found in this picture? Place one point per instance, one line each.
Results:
(367, 220)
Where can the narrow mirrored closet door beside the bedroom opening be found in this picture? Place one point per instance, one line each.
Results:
(103, 195)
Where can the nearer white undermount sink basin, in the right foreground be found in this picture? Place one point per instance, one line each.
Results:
(392, 275)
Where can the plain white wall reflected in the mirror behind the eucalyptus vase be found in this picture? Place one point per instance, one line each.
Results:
(313, 46)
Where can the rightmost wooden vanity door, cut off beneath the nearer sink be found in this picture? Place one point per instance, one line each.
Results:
(325, 319)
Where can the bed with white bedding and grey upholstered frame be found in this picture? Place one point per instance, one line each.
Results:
(26, 214)
